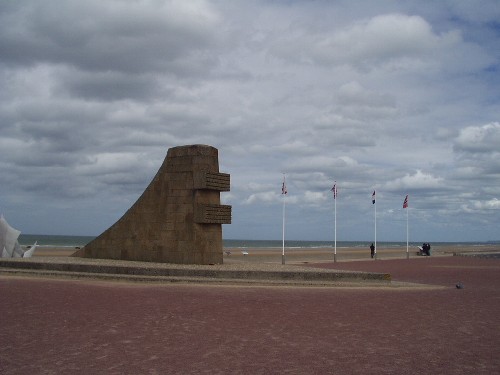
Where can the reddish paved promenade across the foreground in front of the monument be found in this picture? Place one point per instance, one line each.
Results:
(84, 327)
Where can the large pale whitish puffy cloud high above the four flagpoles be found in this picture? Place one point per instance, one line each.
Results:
(394, 40)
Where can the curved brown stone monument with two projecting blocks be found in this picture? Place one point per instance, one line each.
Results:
(178, 217)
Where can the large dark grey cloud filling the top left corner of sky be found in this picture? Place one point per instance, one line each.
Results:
(118, 36)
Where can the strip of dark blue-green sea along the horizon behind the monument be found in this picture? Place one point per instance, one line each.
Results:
(80, 241)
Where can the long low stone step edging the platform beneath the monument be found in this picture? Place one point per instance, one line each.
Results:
(160, 272)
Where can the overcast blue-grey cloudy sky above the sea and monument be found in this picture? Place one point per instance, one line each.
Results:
(401, 97)
